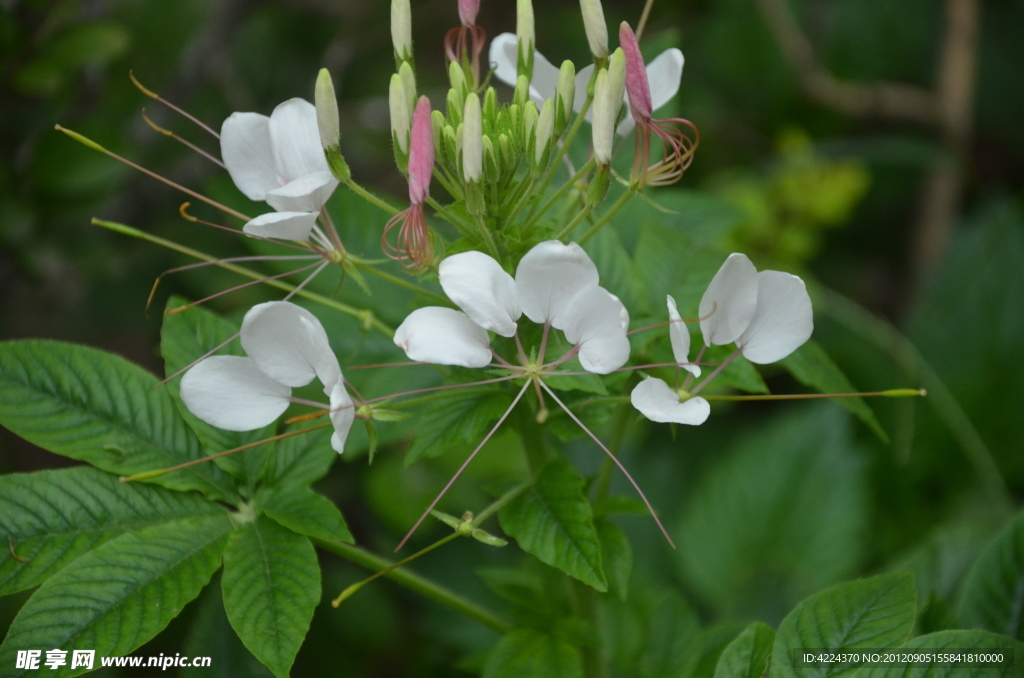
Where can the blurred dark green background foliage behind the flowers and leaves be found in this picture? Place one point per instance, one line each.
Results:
(874, 147)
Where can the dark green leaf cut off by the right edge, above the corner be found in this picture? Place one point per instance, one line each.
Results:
(994, 597)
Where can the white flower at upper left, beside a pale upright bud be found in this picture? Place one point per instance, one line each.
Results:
(280, 160)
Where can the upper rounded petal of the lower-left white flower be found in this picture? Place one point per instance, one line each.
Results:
(289, 345)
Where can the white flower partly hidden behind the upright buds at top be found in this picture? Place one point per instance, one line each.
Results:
(664, 73)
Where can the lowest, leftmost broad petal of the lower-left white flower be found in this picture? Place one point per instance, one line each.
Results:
(231, 393)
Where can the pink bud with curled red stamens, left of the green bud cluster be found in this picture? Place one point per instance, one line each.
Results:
(414, 249)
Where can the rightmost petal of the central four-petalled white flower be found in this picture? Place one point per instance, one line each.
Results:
(594, 322)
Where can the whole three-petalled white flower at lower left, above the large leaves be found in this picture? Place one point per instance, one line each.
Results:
(287, 348)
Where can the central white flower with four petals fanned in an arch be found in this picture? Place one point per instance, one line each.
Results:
(556, 284)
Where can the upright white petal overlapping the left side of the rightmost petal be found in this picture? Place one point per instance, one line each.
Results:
(730, 304)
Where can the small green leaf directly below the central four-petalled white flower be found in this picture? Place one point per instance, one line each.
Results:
(464, 417)
